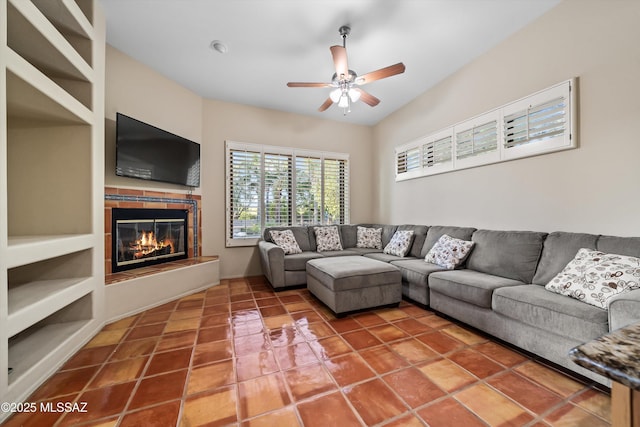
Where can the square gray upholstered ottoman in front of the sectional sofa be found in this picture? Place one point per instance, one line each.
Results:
(350, 283)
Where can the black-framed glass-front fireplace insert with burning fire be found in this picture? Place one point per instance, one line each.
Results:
(142, 237)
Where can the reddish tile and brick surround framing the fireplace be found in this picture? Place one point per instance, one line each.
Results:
(130, 198)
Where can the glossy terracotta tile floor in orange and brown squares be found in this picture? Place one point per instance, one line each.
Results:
(240, 354)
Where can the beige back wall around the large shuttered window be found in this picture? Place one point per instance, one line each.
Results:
(241, 123)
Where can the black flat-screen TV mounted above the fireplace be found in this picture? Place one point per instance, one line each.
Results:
(146, 152)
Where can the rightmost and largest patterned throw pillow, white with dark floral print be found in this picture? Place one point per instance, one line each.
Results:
(595, 277)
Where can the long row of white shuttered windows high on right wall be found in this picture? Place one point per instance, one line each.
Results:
(540, 123)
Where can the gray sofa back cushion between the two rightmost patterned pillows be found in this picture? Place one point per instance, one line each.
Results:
(511, 254)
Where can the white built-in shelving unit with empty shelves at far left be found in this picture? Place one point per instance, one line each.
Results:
(51, 186)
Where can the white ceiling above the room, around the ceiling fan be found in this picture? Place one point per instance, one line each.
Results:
(272, 42)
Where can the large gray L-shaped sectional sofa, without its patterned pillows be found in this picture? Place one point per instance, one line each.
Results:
(499, 289)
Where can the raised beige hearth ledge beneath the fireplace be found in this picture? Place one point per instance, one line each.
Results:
(149, 289)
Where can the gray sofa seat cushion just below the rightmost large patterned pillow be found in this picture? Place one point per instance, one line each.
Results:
(535, 306)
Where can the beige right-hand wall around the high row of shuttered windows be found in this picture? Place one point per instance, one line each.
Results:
(591, 189)
